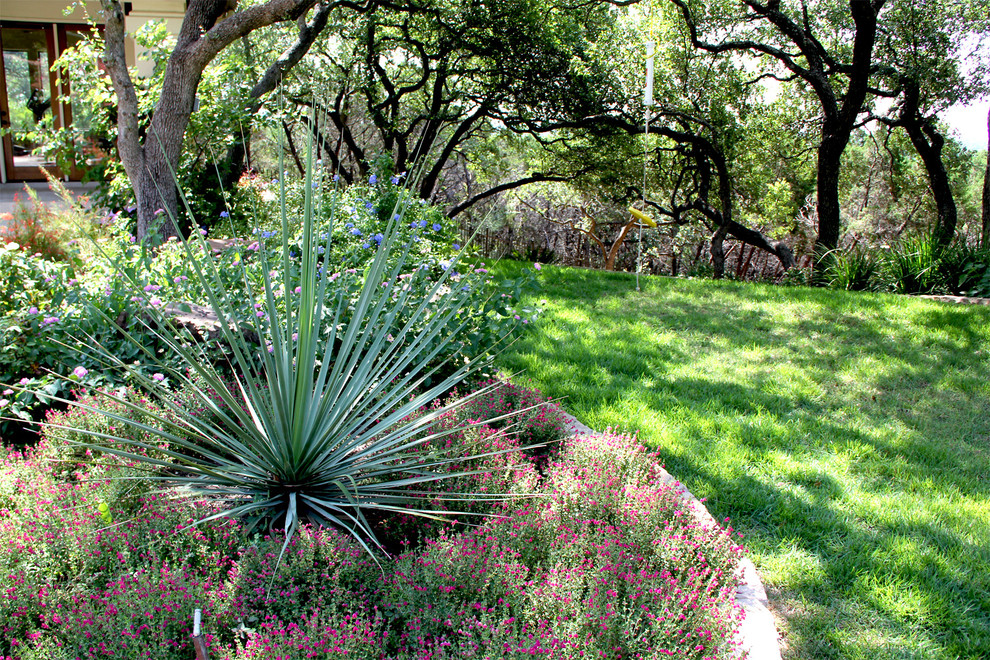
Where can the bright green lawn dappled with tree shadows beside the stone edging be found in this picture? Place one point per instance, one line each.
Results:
(846, 435)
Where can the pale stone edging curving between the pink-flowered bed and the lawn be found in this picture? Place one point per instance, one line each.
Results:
(757, 636)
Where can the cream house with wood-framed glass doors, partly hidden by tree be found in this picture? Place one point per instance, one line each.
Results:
(33, 34)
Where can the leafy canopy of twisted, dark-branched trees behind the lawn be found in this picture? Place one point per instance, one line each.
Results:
(761, 105)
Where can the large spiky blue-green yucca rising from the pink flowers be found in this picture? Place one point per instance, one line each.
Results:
(314, 423)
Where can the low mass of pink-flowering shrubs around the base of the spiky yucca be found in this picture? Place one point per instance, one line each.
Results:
(604, 560)
